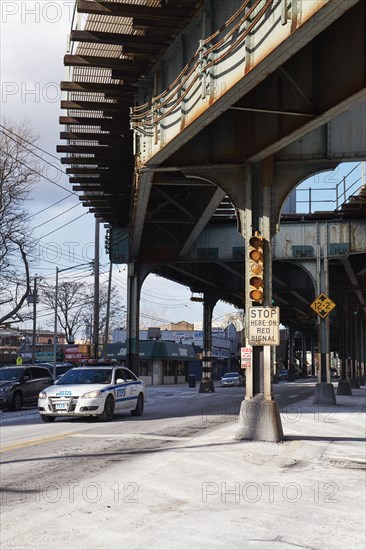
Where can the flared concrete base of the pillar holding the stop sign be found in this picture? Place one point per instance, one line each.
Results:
(259, 420)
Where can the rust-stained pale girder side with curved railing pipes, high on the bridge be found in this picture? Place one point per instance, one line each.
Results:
(219, 62)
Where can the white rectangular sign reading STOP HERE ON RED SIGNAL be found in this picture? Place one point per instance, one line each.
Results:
(264, 326)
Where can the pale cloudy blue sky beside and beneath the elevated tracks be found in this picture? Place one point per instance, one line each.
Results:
(34, 38)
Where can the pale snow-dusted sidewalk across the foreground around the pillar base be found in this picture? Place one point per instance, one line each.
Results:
(211, 491)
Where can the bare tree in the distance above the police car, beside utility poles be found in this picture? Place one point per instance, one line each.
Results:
(72, 302)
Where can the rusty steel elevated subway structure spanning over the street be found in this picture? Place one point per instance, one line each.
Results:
(233, 103)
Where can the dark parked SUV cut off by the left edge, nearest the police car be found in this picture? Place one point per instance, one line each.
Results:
(21, 385)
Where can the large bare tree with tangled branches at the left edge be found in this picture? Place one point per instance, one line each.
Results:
(18, 173)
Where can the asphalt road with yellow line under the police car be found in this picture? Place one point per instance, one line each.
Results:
(34, 454)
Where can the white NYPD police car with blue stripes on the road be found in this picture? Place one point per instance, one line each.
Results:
(93, 391)
